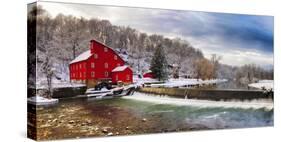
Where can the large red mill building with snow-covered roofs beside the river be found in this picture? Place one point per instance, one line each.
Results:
(100, 64)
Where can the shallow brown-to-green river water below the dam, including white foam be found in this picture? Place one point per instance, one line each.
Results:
(141, 114)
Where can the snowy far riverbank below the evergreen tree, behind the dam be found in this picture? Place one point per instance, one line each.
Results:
(186, 82)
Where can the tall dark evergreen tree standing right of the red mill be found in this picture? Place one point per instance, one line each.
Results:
(159, 64)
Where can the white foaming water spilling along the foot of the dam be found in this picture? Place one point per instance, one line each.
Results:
(256, 104)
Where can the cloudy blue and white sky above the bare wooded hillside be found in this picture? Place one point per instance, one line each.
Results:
(239, 39)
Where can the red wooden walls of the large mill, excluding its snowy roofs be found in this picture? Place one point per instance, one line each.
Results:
(98, 64)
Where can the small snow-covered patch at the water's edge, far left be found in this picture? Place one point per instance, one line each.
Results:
(38, 100)
